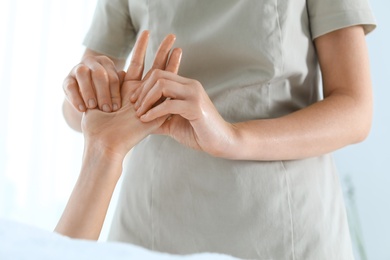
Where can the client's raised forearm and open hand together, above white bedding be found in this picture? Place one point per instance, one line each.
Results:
(108, 138)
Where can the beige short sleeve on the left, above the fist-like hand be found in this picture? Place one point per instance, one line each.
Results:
(111, 32)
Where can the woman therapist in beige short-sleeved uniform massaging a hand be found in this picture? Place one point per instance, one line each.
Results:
(243, 166)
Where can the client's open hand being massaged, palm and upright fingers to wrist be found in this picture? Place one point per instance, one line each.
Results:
(119, 131)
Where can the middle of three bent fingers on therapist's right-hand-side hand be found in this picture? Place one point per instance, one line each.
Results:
(163, 88)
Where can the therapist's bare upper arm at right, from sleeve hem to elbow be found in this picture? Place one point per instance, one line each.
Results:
(344, 62)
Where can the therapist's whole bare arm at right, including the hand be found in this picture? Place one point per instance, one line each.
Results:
(342, 118)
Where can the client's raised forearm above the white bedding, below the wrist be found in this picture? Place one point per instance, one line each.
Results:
(85, 212)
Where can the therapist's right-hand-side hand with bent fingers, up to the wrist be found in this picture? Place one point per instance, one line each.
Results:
(194, 121)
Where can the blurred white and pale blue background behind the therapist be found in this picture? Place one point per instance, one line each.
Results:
(40, 41)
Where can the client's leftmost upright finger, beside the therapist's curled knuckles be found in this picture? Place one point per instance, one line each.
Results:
(137, 61)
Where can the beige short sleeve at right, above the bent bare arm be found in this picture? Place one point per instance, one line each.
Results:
(330, 15)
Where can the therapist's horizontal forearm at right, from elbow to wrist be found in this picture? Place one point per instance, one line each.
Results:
(324, 127)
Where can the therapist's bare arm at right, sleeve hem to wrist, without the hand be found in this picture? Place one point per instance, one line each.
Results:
(342, 118)
